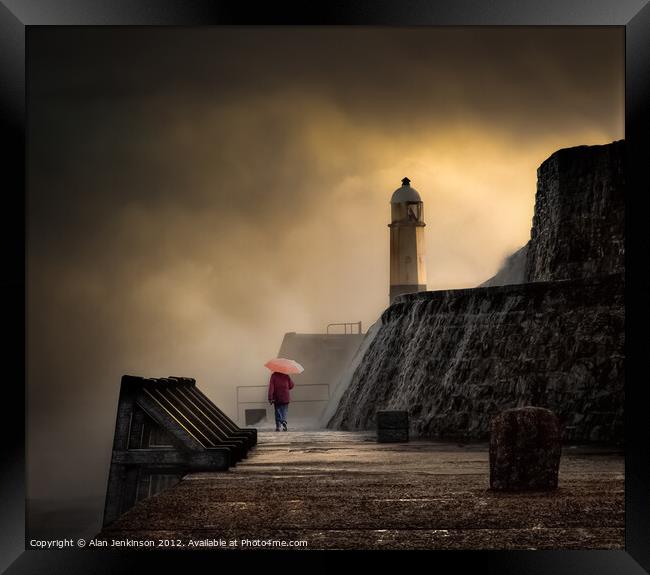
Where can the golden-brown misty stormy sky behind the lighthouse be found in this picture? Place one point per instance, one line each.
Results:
(193, 194)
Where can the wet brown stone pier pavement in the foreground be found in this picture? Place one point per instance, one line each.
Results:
(342, 490)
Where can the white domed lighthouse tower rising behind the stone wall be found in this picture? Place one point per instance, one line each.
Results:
(407, 271)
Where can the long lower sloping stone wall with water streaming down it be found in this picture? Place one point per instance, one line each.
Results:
(455, 359)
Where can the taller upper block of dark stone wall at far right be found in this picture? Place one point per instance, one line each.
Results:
(579, 223)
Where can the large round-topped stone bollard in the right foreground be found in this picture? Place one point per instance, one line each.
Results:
(525, 449)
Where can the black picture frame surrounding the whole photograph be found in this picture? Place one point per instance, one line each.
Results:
(16, 16)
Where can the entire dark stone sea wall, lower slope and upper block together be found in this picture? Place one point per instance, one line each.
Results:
(456, 358)
